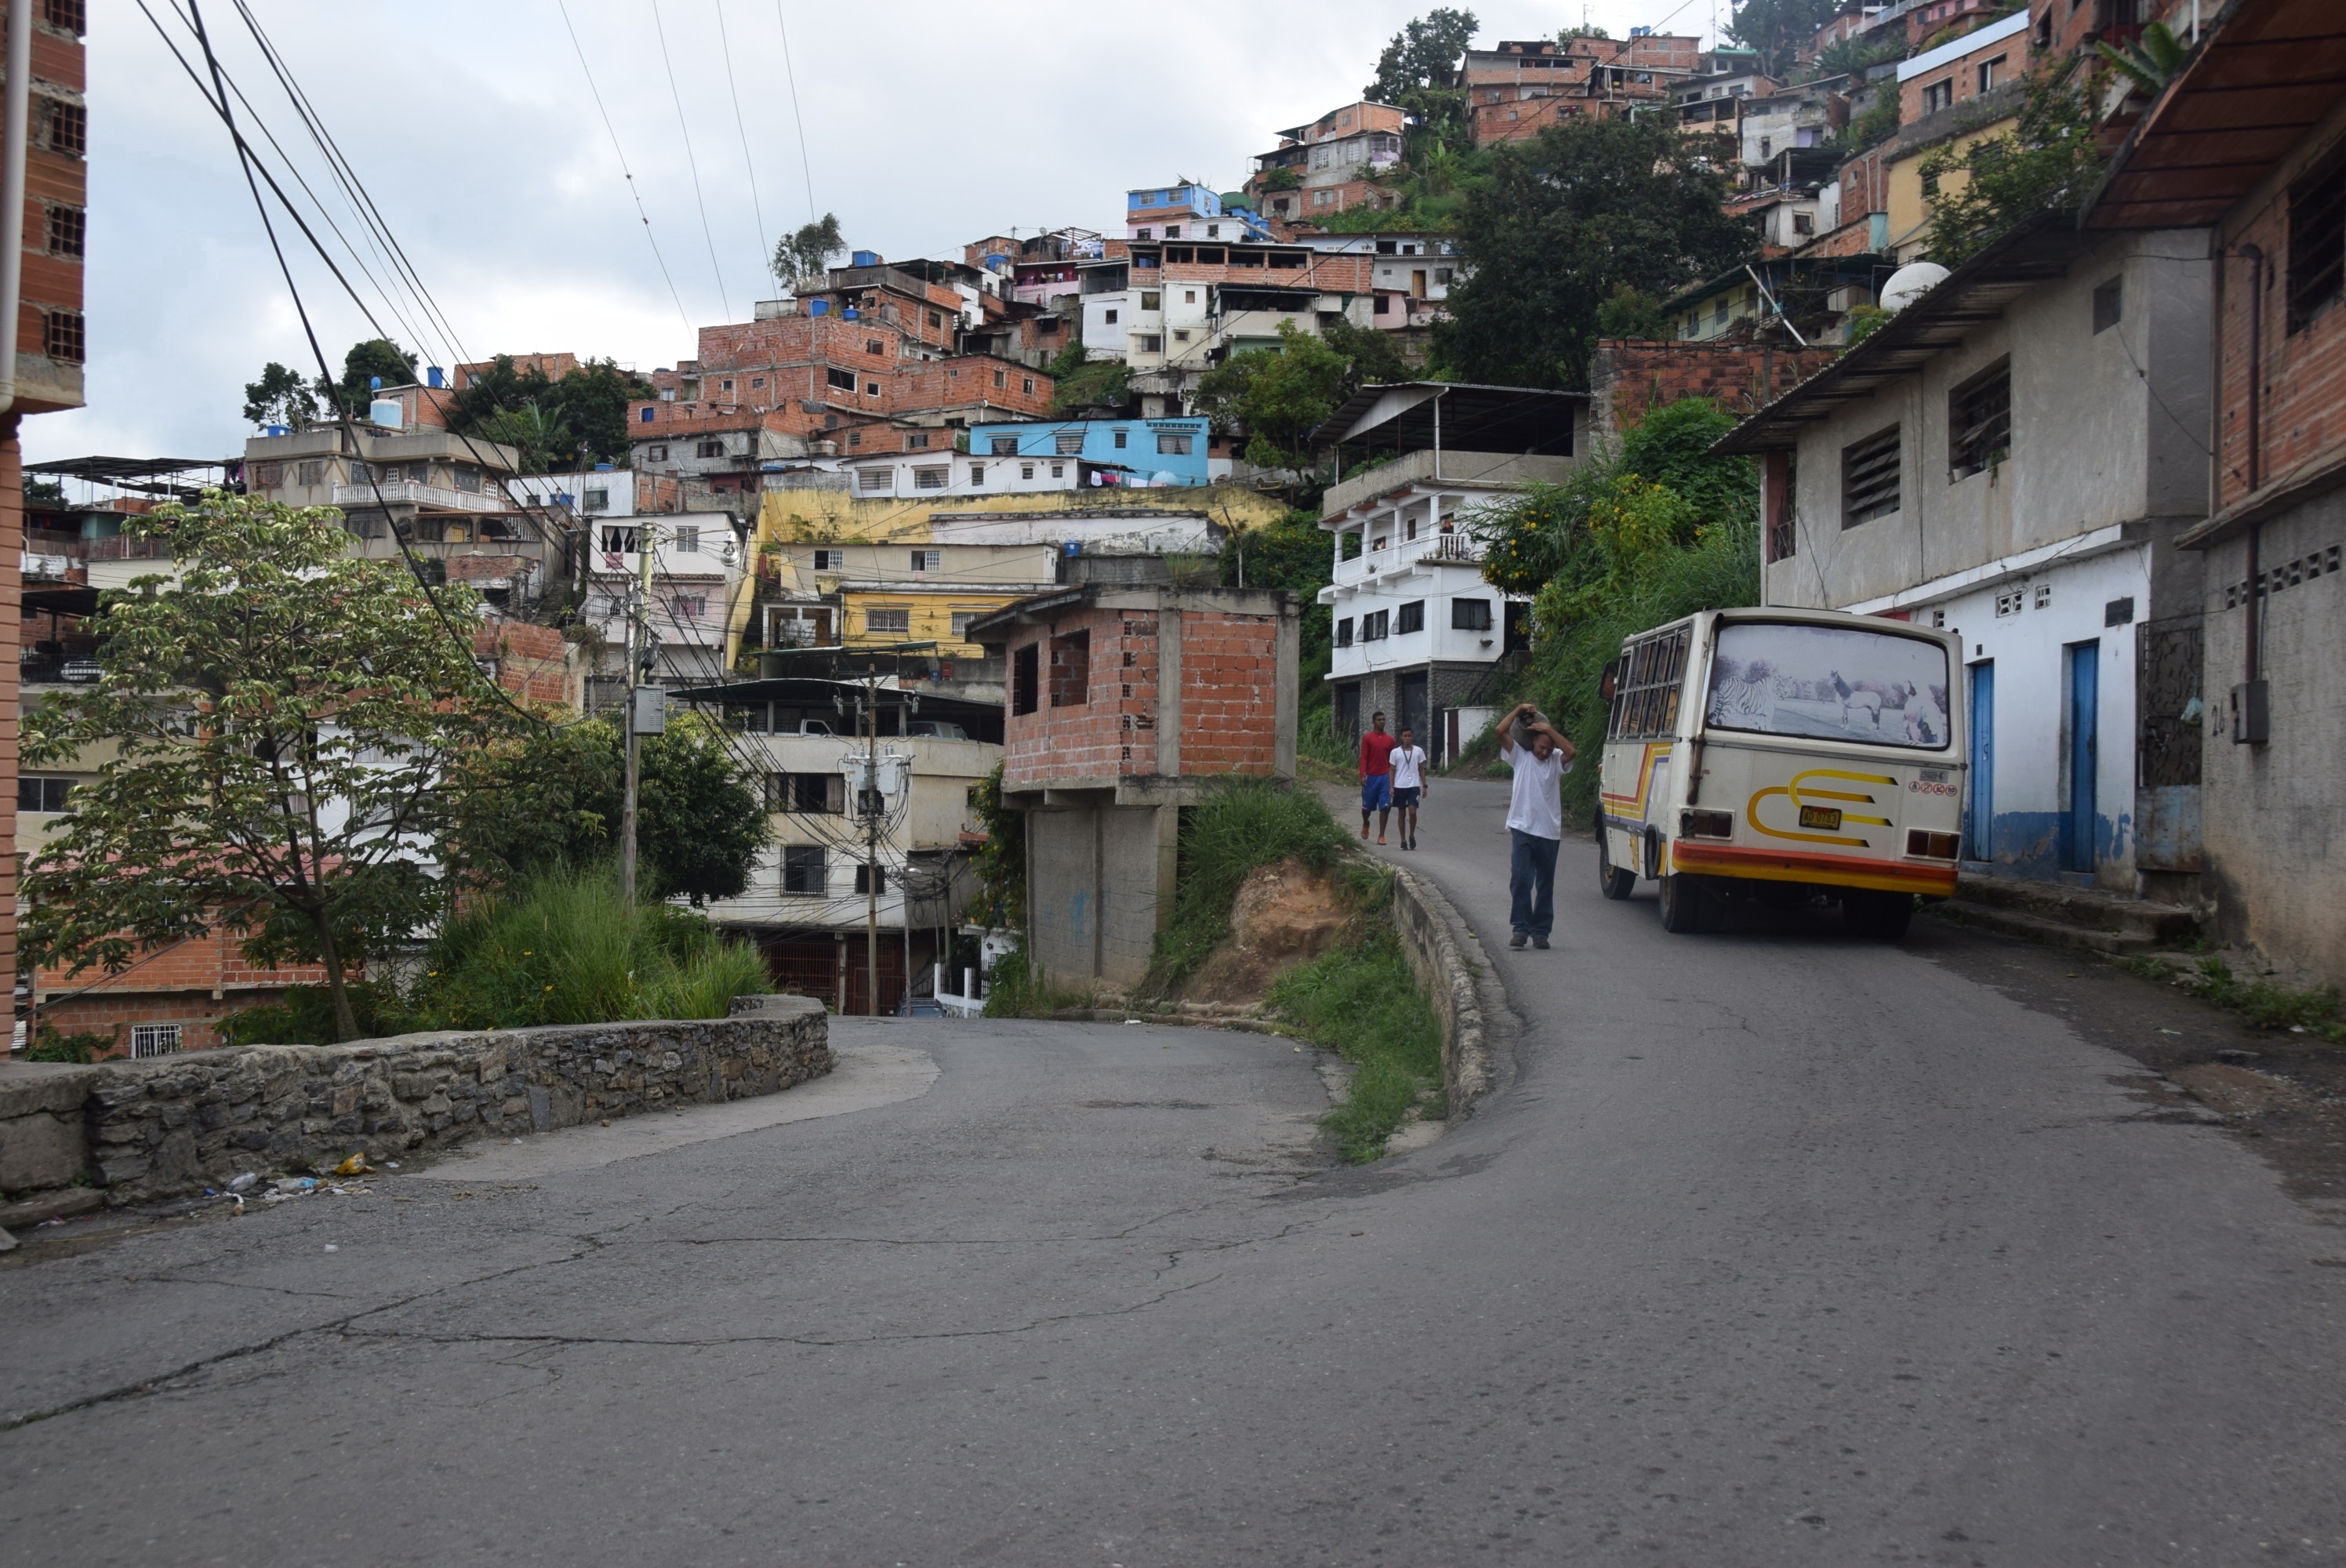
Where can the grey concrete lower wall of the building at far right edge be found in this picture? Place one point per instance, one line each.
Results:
(2274, 842)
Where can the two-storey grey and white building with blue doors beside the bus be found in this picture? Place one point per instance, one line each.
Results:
(2012, 459)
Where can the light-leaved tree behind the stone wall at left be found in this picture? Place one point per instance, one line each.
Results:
(283, 719)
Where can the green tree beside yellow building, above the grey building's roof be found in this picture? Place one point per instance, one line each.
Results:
(2047, 163)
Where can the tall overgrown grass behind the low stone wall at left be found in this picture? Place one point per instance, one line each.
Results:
(560, 949)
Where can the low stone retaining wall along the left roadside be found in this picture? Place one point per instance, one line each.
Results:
(182, 1123)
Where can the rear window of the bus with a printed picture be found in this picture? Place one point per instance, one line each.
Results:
(1829, 684)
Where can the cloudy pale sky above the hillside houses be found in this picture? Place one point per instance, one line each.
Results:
(477, 137)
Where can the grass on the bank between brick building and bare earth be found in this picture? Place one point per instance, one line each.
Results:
(1245, 823)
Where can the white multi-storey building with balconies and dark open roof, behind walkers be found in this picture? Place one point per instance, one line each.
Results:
(1418, 633)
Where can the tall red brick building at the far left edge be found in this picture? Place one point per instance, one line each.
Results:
(50, 344)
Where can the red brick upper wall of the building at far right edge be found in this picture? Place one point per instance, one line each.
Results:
(2305, 372)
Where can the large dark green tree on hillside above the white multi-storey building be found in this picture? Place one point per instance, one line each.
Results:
(1559, 227)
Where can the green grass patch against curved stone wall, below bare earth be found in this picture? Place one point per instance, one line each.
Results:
(1364, 1003)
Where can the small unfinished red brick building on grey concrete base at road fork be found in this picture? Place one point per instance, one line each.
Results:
(1123, 705)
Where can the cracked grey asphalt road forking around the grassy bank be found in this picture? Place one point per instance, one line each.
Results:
(1777, 1250)
